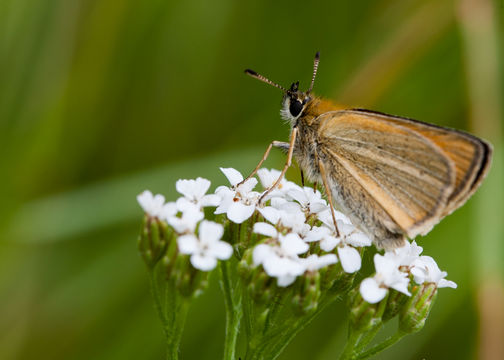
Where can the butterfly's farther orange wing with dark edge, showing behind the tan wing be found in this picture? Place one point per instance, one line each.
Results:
(471, 155)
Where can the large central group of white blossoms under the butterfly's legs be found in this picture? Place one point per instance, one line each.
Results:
(284, 252)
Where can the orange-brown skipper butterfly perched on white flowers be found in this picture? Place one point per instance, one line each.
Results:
(393, 177)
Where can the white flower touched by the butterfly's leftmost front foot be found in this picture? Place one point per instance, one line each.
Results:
(238, 202)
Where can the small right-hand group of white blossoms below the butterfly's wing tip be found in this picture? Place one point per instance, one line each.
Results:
(393, 271)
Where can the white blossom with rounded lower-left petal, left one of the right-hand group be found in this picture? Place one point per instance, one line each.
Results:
(387, 275)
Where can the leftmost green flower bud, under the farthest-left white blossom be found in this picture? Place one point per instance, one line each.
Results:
(153, 240)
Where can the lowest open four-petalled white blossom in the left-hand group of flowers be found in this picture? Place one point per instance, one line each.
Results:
(207, 247)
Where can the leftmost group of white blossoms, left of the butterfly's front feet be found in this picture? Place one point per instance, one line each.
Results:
(184, 215)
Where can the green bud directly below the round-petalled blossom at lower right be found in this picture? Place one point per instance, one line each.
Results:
(363, 315)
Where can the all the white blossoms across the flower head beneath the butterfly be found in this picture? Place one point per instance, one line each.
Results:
(290, 212)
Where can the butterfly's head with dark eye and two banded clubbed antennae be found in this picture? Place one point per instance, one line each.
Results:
(294, 101)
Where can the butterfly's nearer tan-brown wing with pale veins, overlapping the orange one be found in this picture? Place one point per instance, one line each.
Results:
(403, 172)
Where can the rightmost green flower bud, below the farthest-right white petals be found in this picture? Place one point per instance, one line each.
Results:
(415, 311)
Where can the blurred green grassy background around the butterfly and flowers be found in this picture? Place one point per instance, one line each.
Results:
(101, 99)
